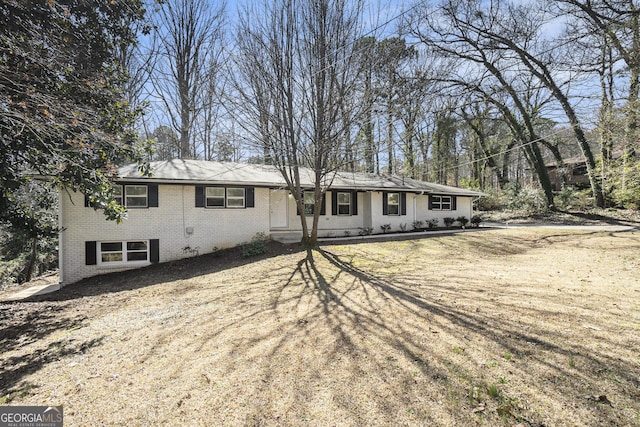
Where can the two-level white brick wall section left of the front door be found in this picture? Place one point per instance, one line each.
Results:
(170, 222)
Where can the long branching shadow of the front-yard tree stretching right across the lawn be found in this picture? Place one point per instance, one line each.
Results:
(353, 318)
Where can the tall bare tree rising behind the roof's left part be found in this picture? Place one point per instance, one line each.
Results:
(190, 35)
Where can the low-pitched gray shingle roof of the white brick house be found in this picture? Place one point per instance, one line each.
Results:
(208, 172)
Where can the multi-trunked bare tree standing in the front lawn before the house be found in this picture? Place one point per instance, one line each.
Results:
(296, 68)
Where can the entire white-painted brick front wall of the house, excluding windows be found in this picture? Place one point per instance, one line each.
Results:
(183, 230)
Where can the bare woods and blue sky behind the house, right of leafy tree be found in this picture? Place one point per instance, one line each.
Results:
(459, 92)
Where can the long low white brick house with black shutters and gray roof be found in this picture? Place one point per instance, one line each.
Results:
(191, 206)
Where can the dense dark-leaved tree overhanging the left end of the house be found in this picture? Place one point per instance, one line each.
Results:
(63, 114)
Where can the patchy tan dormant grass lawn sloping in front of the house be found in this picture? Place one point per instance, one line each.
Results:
(526, 327)
